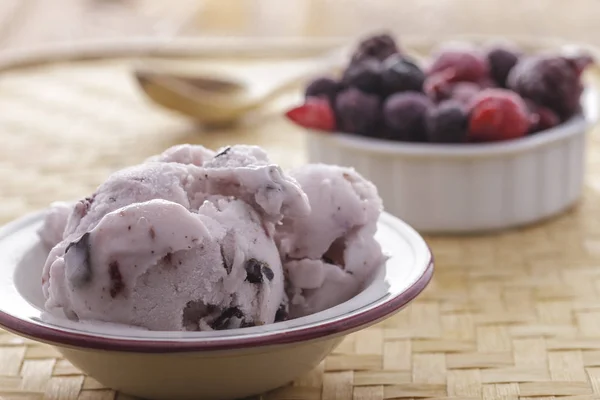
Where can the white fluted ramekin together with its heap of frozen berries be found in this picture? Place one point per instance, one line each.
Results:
(471, 135)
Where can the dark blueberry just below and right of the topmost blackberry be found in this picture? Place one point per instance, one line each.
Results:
(400, 74)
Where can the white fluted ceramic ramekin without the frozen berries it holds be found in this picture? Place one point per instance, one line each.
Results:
(438, 188)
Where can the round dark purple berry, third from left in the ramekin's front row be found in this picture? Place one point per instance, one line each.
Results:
(404, 113)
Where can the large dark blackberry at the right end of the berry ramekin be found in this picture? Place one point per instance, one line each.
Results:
(549, 81)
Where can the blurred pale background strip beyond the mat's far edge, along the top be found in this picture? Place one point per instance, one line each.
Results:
(25, 23)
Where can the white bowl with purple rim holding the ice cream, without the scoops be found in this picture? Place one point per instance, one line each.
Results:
(203, 365)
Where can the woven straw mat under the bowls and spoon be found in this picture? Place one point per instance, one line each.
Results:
(515, 315)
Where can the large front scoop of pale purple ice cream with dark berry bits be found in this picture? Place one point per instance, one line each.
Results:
(158, 265)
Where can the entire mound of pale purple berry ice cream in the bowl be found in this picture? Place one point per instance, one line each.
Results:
(193, 239)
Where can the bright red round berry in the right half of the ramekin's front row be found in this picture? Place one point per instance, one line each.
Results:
(498, 114)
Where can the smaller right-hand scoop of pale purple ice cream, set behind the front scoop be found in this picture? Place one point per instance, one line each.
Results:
(329, 254)
